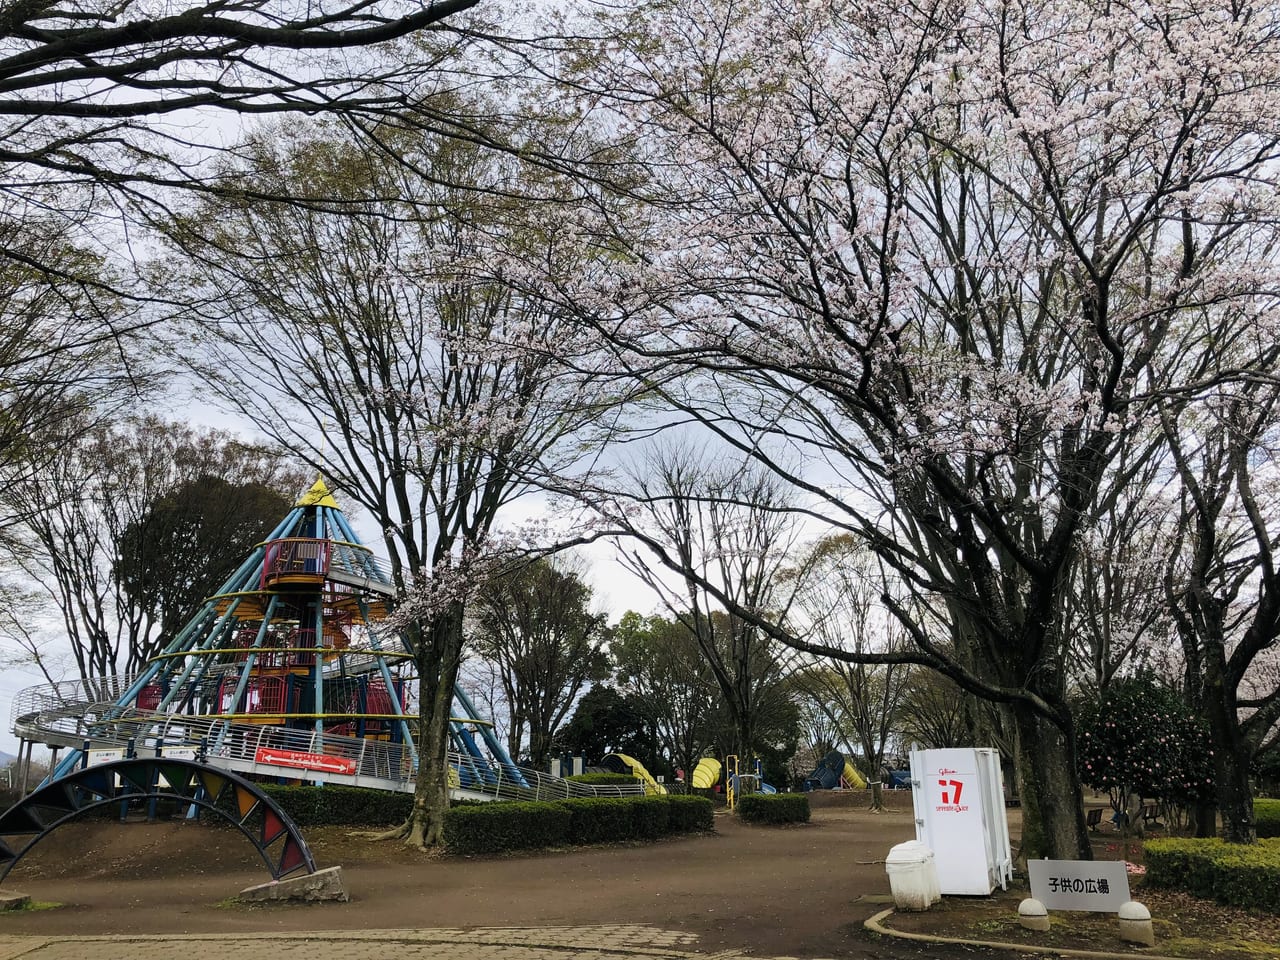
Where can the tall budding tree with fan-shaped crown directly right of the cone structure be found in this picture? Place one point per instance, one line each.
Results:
(387, 348)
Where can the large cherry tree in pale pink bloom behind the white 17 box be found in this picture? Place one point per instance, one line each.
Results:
(932, 267)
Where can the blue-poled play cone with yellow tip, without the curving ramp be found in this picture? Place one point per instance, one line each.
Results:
(292, 661)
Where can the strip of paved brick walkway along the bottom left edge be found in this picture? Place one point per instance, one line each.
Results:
(606, 943)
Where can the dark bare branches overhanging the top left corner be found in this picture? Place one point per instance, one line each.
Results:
(132, 66)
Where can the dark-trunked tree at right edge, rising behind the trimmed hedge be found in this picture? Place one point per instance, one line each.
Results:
(1222, 579)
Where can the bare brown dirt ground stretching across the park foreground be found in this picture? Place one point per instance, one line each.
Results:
(794, 892)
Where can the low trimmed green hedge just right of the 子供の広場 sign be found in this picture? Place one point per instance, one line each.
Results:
(1229, 874)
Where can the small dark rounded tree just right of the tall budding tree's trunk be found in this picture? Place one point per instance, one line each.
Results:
(537, 627)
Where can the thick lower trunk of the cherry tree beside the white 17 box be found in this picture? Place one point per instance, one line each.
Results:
(1052, 797)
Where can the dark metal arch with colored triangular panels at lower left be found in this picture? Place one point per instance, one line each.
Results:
(135, 780)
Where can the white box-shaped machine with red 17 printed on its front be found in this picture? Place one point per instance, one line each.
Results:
(959, 798)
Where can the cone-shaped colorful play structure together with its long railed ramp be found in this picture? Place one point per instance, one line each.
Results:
(287, 673)
